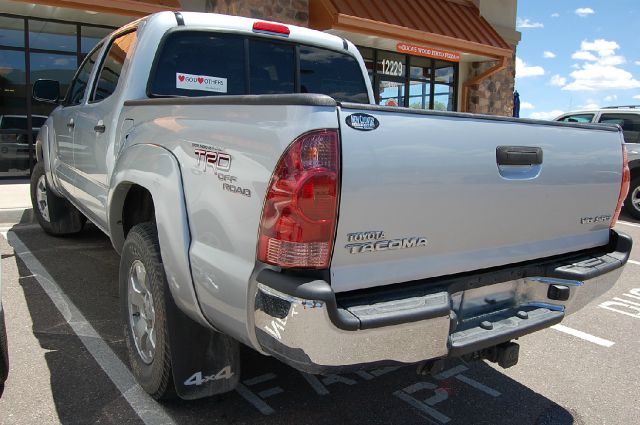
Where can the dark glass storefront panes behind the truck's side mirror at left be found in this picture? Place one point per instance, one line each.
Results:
(30, 49)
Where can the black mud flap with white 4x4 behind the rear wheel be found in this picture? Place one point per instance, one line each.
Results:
(204, 362)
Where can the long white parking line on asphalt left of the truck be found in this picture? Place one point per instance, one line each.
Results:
(145, 407)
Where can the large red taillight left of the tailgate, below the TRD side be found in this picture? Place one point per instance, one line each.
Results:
(301, 206)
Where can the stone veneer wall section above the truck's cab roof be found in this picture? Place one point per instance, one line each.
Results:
(288, 11)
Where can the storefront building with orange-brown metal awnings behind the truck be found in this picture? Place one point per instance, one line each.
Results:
(451, 55)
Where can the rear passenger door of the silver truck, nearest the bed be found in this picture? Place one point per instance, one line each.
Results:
(96, 128)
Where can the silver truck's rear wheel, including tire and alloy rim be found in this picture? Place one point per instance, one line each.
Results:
(142, 295)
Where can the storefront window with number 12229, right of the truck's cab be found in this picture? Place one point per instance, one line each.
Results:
(411, 81)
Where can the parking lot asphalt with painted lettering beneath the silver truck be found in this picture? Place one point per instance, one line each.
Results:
(69, 366)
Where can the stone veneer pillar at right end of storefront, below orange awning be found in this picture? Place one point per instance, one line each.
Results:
(494, 95)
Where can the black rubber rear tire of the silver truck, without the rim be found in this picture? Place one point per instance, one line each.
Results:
(142, 245)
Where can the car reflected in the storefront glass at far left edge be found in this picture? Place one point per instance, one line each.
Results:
(14, 140)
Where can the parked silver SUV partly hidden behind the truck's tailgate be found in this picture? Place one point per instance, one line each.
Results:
(627, 117)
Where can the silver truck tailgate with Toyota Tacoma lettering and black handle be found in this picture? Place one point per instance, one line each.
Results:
(423, 194)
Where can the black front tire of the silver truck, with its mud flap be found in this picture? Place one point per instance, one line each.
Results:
(63, 218)
